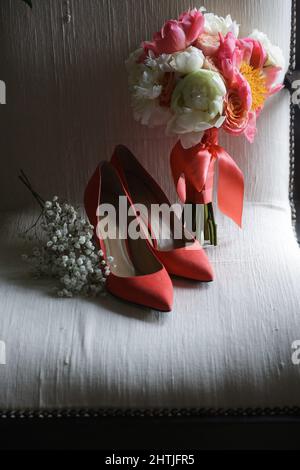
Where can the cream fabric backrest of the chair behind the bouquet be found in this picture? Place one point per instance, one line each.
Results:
(68, 104)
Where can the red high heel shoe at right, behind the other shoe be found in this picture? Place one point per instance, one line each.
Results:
(184, 256)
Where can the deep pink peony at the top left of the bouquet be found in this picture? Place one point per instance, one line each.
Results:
(176, 35)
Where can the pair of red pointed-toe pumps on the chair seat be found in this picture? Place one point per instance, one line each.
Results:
(141, 264)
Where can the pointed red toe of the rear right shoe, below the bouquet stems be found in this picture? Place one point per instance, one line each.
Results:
(190, 262)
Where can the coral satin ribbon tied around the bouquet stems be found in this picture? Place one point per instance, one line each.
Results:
(193, 174)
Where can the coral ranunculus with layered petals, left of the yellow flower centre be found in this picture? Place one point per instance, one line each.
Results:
(237, 106)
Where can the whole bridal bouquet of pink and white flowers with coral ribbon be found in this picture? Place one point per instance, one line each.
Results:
(197, 77)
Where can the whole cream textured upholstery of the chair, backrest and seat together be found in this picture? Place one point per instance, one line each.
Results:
(227, 343)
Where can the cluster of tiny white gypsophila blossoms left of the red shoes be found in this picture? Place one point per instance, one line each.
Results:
(67, 252)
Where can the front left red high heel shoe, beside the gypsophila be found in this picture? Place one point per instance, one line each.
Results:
(136, 275)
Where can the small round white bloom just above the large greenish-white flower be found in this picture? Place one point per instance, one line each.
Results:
(188, 61)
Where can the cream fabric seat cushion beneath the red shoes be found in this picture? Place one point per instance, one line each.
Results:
(226, 343)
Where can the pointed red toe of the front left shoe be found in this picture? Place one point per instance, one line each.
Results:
(152, 290)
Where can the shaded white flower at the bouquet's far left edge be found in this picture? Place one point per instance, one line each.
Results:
(145, 88)
